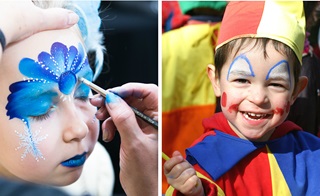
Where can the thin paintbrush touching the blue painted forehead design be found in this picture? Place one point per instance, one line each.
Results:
(103, 92)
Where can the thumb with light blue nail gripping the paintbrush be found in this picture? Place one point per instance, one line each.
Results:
(123, 118)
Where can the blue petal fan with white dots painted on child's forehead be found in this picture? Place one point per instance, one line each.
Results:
(61, 66)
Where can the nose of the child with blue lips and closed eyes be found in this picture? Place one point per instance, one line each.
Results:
(75, 129)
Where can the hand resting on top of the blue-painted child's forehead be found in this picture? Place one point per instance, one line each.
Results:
(26, 23)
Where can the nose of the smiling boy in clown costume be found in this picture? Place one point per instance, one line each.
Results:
(257, 95)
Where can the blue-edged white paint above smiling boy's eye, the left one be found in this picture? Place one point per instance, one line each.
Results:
(240, 66)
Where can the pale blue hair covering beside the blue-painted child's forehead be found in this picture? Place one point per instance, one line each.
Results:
(89, 24)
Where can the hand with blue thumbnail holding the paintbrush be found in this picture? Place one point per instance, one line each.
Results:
(139, 140)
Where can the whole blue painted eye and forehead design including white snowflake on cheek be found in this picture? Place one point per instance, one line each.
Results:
(37, 95)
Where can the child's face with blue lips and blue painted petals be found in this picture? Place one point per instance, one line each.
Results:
(48, 127)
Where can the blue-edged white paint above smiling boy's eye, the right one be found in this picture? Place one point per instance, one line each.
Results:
(280, 71)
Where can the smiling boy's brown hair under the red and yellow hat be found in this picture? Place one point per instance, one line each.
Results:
(235, 45)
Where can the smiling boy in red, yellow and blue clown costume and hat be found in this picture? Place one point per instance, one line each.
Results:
(248, 149)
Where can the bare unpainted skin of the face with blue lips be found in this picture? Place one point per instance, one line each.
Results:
(67, 131)
